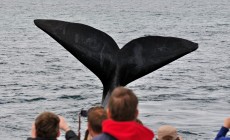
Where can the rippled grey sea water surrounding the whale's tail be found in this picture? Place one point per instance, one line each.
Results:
(37, 74)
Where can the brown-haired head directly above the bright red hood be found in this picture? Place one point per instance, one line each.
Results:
(122, 105)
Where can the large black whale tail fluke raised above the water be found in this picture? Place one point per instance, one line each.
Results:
(114, 66)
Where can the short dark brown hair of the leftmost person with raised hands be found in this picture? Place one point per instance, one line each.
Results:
(47, 125)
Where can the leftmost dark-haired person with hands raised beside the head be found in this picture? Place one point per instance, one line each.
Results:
(47, 126)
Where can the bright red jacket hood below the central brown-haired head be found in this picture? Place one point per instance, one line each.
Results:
(127, 130)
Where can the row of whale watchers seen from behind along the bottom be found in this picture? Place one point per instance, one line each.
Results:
(117, 122)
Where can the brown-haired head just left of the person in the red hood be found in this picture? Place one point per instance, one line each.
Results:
(96, 115)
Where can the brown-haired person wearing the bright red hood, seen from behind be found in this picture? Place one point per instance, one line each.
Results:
(122, 113)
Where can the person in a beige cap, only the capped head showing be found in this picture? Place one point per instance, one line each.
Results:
(167, 132)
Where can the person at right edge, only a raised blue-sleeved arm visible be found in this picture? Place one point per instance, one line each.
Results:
(224, 130)
